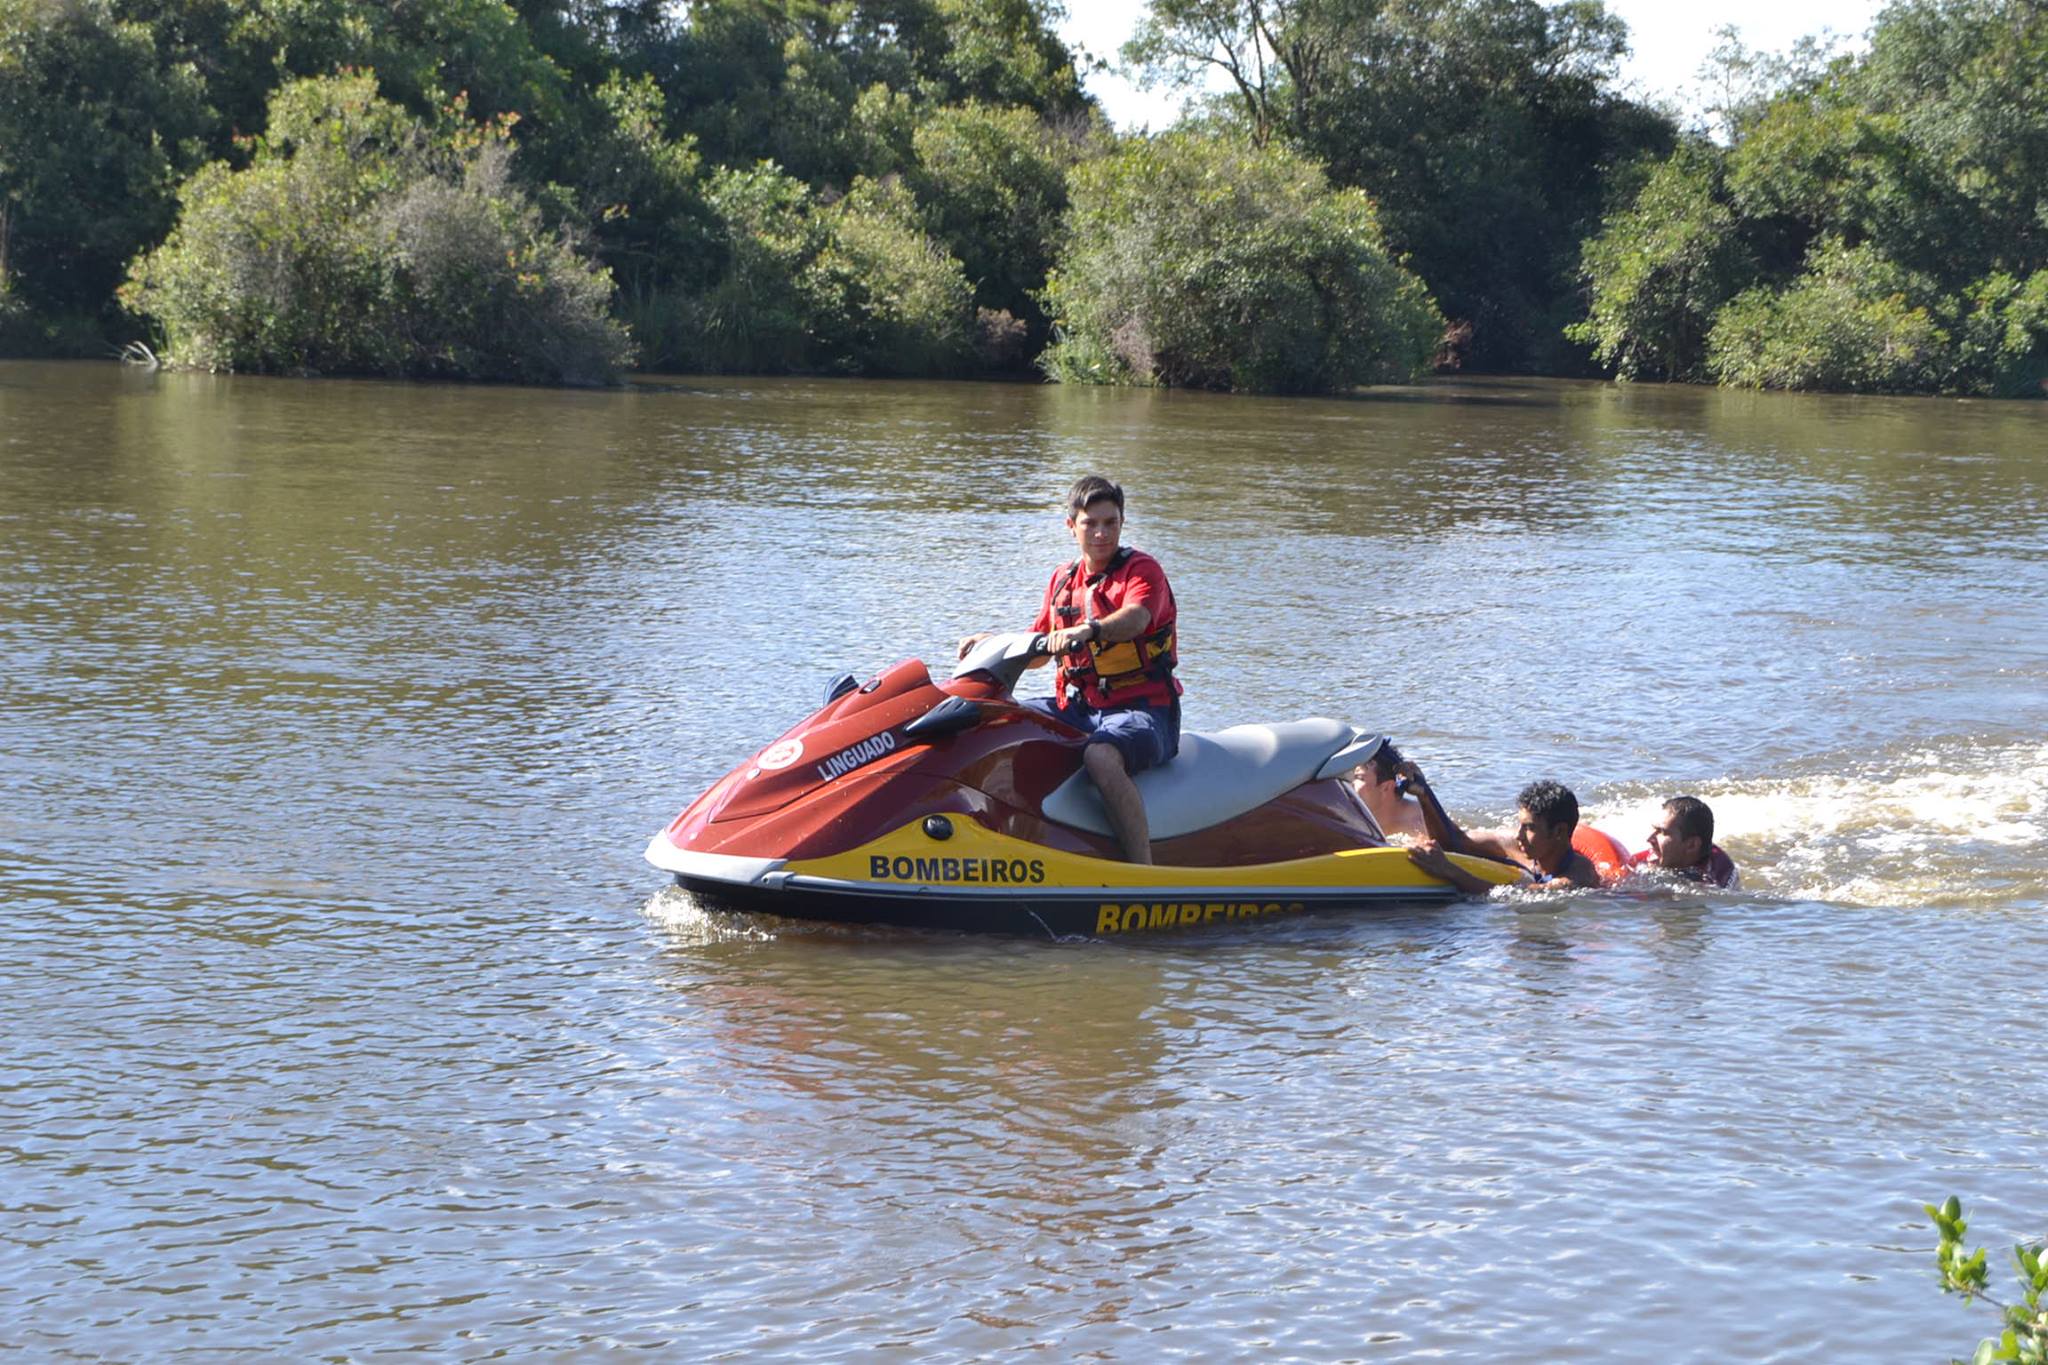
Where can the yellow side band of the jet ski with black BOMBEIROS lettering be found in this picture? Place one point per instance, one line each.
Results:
(982, 861)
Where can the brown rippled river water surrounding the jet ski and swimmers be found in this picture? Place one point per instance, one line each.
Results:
(341, 1014)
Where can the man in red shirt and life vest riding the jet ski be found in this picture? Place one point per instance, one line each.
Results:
(1109, 619)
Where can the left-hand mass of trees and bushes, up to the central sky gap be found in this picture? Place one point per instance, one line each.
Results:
(908, 134)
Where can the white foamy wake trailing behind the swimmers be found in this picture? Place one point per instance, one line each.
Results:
(1945, 824)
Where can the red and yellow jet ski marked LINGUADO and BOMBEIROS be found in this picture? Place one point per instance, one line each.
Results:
(949, 805)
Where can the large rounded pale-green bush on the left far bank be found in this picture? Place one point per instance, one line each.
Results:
(361, 240)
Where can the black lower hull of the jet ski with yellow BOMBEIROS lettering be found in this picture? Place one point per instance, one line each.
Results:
(1093, 914)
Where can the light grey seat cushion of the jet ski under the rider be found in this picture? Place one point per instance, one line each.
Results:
(1224, 775)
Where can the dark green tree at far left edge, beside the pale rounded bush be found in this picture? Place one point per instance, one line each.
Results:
(95, 134)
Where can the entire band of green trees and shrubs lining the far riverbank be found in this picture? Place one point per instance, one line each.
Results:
(554, 189)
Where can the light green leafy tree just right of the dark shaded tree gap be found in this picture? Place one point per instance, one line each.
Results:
(1662, 269)
